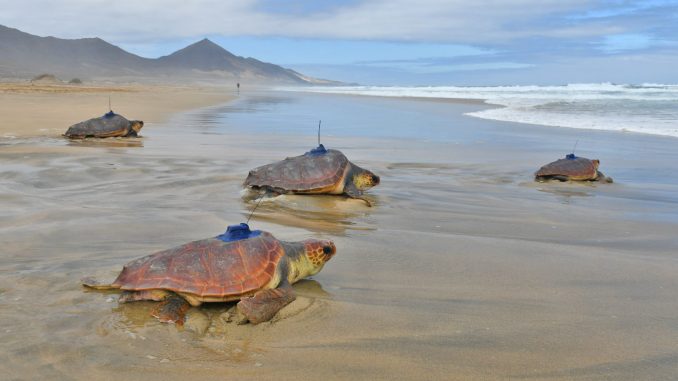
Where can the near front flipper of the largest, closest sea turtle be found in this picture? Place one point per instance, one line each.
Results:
(266, 303)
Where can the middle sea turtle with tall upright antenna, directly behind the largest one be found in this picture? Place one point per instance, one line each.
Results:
(319, 171)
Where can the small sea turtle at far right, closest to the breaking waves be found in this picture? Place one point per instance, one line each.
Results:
(572, 168)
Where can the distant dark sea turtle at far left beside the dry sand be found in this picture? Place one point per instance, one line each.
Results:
(109, 125)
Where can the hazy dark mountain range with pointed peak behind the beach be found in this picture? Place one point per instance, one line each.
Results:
(23, 55)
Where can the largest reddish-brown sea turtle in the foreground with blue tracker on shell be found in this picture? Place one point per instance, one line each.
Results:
(251, 266)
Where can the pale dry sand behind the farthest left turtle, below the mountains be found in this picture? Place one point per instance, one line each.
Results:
(49, 109)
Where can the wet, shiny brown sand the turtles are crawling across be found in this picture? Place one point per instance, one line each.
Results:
(465, 269)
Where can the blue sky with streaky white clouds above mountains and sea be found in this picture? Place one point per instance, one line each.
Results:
(391, 42)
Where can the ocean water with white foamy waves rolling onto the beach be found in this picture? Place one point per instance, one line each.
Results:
(646, 108)
